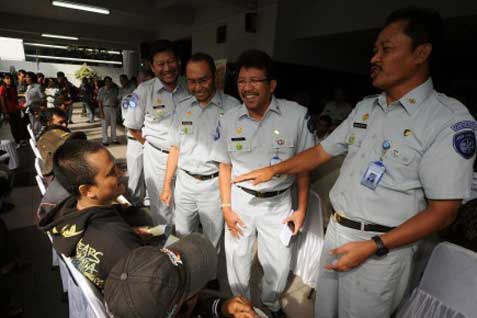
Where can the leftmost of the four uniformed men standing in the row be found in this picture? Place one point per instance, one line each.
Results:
(154, 106)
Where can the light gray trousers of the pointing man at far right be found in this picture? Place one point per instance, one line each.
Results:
(372, 290)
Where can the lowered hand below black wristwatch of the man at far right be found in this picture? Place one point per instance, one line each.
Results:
(354, 254)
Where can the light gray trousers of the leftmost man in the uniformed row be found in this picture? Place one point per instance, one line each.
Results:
(155, 163)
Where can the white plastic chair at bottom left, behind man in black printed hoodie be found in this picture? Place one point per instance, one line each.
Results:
(93, 297)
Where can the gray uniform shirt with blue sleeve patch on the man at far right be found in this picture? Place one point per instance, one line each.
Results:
(432, 149)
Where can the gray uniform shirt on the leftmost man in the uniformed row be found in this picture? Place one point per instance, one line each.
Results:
(154, 107)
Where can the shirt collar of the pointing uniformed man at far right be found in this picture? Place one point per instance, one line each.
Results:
(412, 99)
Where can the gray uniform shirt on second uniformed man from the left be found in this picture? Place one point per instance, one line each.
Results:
(195, 129)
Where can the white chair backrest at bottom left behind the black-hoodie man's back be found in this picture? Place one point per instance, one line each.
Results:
(92, 295)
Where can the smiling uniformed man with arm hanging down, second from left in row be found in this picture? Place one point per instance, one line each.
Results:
(196, 195)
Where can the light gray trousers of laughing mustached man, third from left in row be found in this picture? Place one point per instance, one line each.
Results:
(263, 220)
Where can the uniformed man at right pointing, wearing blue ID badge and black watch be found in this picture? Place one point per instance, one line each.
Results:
(408, 166)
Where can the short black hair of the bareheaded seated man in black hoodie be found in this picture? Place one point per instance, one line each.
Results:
(70, 166)
